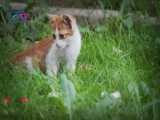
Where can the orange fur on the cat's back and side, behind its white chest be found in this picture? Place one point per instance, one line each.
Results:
(37, 52)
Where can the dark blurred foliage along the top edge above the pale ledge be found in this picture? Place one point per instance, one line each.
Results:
(151, 7)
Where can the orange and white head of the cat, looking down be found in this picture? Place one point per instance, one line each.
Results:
(62, 26)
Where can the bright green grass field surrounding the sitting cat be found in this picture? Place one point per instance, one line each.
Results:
(115, 58)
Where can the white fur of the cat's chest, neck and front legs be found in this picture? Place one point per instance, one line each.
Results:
(67, 50)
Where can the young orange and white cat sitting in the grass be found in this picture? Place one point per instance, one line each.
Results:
(64, 45)
